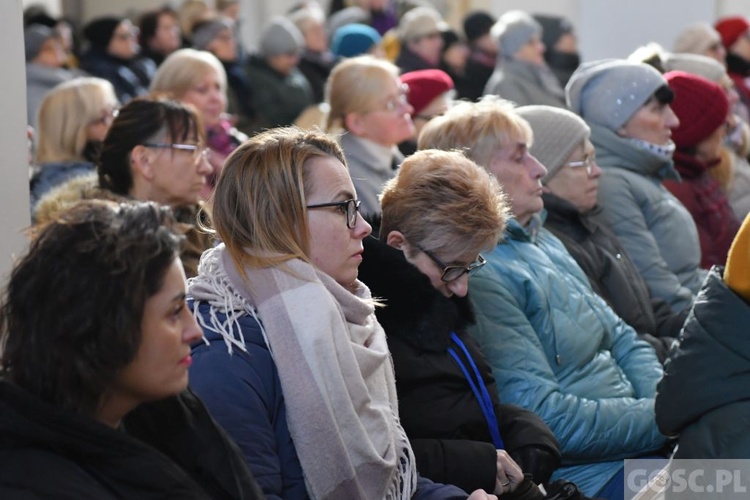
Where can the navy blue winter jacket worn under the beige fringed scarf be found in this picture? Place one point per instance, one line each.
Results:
(242, 391)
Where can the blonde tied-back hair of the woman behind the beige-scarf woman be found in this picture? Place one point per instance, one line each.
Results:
(355, 86)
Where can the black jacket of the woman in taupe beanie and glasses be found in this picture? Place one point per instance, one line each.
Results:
(612, 274)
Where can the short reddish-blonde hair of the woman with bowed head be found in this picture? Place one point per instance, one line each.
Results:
(443, 200)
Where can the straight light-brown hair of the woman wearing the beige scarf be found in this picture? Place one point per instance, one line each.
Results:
(259, 205)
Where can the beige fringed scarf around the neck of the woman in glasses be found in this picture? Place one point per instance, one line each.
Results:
(335, 370)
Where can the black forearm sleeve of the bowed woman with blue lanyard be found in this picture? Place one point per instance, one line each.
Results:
(529, 441)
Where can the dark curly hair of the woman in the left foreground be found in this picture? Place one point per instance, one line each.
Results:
(70, 317)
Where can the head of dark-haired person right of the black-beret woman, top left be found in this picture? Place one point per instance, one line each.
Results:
(159, 34)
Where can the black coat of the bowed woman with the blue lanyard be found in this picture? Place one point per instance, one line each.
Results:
(441, 416)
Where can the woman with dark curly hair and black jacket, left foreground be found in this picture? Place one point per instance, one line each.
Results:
(94, 373)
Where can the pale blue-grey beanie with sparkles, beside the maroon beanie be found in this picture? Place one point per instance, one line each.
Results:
(608, 92)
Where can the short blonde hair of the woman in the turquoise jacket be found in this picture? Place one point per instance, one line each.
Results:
(480, 129)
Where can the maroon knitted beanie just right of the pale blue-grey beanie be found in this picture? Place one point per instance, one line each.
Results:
(700, 104)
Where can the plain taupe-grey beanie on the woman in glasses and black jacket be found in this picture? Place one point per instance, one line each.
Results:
(557, 133)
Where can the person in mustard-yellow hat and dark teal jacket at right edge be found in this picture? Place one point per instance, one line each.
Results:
(705, 384)
